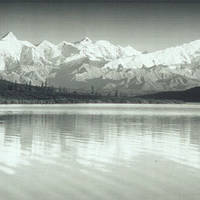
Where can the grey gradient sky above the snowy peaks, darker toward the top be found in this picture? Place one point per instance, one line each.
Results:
(151, 26)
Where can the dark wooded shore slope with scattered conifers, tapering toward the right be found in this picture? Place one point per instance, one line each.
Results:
(14, 93)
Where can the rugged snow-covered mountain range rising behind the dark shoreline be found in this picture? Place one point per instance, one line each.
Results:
(101, 64)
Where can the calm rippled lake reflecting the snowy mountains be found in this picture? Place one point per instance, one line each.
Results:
(100, 152)
